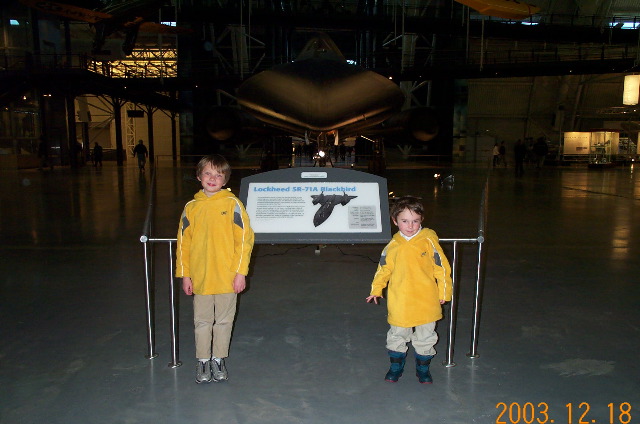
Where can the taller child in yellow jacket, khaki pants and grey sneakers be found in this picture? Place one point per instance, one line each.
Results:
(214, 247)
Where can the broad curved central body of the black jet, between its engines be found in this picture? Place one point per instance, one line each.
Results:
(320, 95)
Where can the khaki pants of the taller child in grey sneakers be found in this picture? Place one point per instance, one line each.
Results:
(213, 321)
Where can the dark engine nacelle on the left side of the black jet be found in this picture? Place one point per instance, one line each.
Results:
(225, 123)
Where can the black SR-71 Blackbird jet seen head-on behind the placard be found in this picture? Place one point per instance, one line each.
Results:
(321, 97)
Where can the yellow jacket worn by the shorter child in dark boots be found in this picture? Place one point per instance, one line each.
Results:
(418, 275)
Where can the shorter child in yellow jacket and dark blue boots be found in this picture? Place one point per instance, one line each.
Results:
(418, 276)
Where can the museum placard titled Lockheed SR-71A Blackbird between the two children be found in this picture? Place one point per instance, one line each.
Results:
(304, 205)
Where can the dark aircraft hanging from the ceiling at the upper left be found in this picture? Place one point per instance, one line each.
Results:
(127, 16)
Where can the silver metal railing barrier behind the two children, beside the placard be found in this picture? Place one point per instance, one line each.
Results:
(149, 273)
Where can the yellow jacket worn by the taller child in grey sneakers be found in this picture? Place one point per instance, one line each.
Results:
(215, 242)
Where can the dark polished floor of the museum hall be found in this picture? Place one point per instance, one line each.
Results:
(559, 330)
